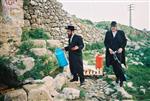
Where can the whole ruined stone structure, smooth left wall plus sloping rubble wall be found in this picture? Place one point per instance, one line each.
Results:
(46, 14)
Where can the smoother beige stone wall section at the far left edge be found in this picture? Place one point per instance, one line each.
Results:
(11, 23)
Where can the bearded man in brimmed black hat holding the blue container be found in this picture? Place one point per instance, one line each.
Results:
(74, 48)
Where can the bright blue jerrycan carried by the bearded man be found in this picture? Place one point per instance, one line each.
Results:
(61, 58)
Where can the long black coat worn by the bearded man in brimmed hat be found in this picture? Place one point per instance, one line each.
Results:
(75, 57)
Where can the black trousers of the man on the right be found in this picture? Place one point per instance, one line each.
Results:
(117, 68)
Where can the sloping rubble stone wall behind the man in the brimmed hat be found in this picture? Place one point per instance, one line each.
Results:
(49, 15)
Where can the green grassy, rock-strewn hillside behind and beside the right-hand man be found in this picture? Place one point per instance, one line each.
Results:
(137, 56)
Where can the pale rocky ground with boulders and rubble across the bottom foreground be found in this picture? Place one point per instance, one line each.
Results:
(60, 89)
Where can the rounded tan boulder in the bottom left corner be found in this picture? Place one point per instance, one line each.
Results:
(16, 95)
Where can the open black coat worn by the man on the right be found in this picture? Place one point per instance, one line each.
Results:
(119, 41)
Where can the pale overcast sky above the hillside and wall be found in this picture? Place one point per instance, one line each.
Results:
(109, 10)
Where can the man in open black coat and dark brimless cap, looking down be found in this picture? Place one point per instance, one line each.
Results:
(115, 40)
